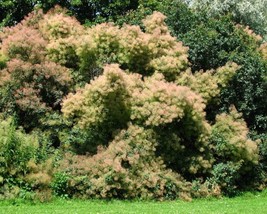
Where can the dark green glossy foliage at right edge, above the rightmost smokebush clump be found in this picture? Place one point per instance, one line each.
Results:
(247, 91)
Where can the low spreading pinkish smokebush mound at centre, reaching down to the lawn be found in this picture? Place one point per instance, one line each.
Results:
(127, 169)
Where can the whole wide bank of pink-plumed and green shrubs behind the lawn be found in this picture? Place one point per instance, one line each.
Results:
(128, 109)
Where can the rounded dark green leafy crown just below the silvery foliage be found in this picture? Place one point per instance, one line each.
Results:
(213, 42)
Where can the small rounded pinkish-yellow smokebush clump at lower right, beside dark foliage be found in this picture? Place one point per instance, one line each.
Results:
(230, 139)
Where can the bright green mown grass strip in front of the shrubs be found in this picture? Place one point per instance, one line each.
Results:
(247, 203)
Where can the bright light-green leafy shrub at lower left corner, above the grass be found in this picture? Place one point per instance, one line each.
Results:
(25, 167)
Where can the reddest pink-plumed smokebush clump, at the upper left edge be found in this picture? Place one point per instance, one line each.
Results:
(31, 85)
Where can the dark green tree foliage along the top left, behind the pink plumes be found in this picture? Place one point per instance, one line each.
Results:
(91, 11)
